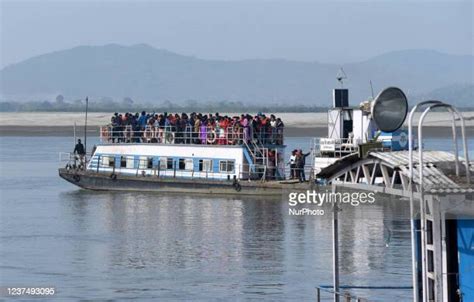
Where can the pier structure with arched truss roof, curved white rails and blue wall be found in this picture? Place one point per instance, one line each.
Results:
(439, 187)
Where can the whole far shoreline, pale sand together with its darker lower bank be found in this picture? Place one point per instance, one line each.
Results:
(437, 125)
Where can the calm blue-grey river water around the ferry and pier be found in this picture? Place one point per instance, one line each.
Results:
(107, 245)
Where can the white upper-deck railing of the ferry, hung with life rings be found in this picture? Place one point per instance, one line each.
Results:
(204, 136)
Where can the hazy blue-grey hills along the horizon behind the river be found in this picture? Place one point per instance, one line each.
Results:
(155, 75)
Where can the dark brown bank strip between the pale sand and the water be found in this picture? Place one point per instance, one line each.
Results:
(93, 131)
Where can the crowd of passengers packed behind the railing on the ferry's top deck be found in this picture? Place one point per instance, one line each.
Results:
(195, 128)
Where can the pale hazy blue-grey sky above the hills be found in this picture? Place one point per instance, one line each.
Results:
(335, 31)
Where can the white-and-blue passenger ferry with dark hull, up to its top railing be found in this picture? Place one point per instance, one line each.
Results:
(223, 161)
